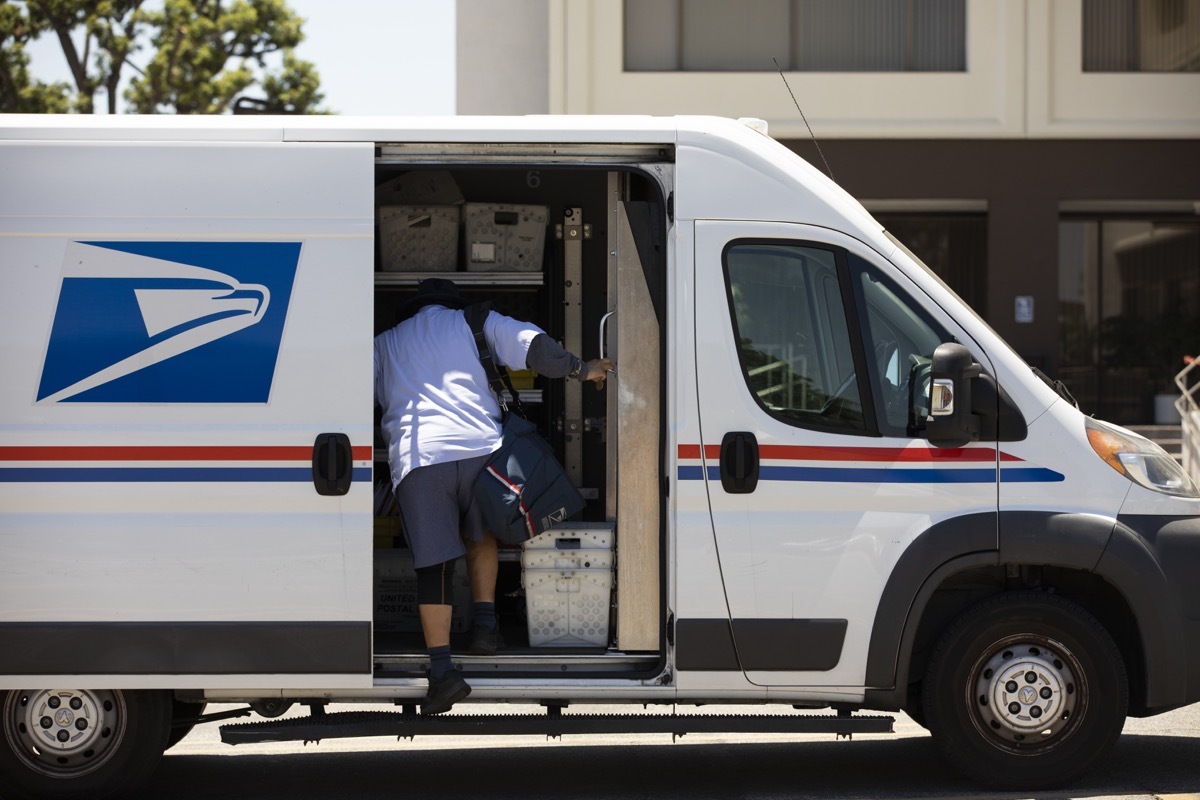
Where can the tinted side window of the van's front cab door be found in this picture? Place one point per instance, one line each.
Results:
(827, 341)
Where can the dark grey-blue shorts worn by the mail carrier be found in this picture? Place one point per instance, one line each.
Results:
(437, 506)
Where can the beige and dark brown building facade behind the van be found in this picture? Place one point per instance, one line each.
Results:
(1043, 157)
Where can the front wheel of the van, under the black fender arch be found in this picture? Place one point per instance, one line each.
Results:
(1025, 691)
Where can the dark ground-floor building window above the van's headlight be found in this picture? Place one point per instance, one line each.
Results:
(1130, 310)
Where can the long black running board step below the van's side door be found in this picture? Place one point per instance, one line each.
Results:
(391, 724)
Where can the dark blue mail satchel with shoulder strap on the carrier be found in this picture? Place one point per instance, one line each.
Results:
(523, 490)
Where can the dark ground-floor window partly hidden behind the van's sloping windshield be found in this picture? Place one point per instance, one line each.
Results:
(953, 245)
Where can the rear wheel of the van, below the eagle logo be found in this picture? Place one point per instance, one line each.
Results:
(75, 744)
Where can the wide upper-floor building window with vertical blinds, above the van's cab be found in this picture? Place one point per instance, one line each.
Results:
(800, 35)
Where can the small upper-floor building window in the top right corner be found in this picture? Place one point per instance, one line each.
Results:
(1142, 35)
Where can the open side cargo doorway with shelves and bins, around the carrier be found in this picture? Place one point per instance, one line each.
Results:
(580, 250)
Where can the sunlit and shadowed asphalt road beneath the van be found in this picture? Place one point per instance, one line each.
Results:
(1155, 759)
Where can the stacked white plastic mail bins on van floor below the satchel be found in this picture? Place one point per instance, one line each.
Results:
(567, 574)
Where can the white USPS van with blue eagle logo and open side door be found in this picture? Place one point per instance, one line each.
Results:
(817, 479)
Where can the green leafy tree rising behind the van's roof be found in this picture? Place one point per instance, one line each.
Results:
(205, 55)
